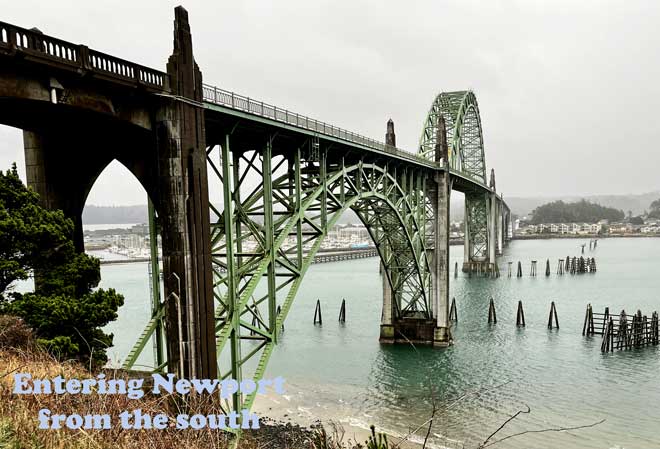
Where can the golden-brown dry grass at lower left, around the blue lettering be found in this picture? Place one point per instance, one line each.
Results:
(19, 413)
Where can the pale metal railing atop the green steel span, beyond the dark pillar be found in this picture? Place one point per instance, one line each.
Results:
(232, 100)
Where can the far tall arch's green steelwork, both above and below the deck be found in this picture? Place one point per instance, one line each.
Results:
(466, 155)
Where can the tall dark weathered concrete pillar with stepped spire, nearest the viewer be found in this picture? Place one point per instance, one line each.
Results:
(184, 215)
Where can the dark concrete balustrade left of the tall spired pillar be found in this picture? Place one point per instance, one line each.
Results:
(37, 46)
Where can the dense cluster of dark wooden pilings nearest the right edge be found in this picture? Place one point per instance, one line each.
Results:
(620, 333)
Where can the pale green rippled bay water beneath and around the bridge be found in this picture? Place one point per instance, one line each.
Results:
(342, 372)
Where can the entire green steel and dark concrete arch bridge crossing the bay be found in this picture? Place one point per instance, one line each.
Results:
(232, 266)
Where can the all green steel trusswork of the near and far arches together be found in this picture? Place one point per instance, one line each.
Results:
(280, 198)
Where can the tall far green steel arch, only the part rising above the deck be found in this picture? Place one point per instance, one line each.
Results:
(464, 135)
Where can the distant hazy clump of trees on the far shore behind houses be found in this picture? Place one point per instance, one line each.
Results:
(581, 211)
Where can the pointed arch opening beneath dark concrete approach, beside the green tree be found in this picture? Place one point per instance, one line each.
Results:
(116, 223)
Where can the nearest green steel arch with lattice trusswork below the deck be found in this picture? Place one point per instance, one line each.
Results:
(265, 239)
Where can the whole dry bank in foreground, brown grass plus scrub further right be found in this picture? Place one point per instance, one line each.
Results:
(19, 413)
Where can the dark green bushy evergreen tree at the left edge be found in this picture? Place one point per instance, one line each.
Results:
(65, 309)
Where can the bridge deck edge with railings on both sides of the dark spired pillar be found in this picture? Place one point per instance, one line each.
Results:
(33, 46)
